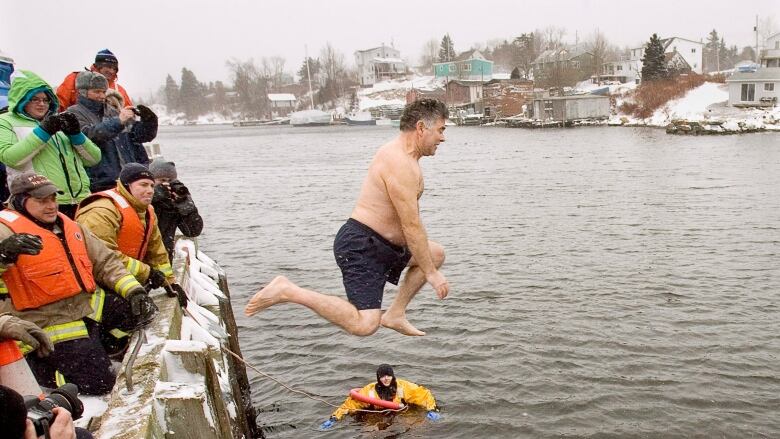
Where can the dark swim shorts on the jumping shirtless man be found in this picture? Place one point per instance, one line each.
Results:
(367, 260)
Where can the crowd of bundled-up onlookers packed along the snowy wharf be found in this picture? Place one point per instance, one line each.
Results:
(88, 227)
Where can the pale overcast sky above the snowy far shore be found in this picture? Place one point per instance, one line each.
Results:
(153, 38)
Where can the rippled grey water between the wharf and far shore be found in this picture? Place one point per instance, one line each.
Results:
(606, 282)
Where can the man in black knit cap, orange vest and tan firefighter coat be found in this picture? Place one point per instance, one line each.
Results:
(125, 220)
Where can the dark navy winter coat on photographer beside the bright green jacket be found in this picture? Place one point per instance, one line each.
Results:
(118, 146)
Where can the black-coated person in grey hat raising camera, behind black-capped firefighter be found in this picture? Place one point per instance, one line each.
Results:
(173, 204)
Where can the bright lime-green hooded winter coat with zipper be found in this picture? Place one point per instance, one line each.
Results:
(24, 146)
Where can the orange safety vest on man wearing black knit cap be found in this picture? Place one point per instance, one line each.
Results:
(132, 238)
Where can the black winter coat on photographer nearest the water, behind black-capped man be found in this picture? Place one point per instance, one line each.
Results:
(182, 214)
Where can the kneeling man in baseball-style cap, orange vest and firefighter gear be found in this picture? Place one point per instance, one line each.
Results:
(51, 268)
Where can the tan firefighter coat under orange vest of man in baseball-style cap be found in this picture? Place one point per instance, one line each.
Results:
(107, 270)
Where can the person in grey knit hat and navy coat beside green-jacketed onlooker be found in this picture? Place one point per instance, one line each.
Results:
(116, 132)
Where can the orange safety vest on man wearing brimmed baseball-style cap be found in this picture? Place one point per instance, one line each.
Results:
(60, 270)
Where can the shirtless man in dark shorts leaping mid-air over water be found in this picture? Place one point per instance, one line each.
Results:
(383, 235)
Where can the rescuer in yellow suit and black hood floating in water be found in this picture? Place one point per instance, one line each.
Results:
(387, 388)
